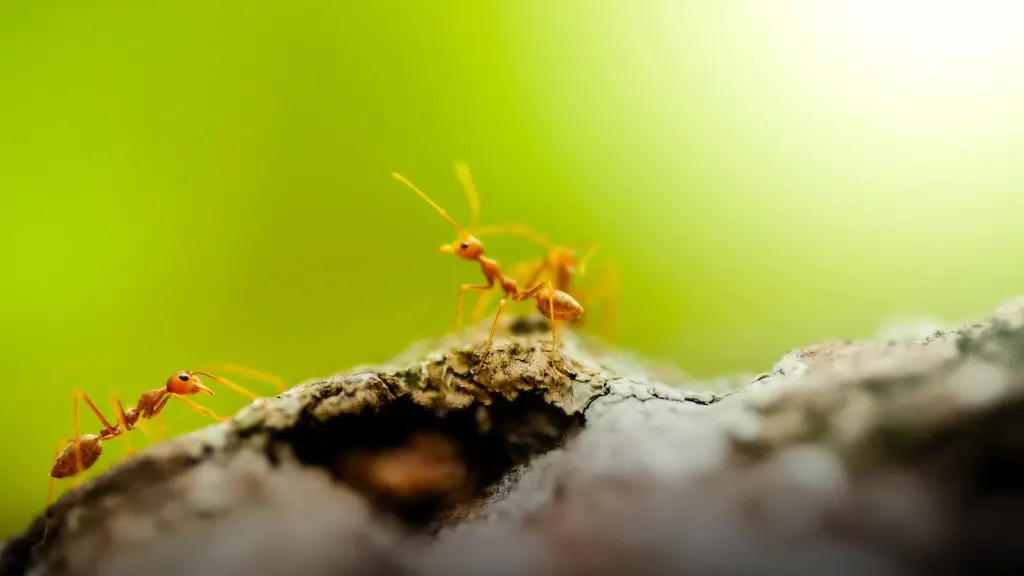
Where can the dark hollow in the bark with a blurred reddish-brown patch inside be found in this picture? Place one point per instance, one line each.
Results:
(420, 466)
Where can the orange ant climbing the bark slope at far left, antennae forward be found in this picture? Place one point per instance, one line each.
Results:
(82, 451)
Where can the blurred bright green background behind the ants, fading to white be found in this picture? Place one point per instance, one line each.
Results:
(192, 182)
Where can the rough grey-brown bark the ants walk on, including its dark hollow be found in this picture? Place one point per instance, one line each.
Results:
(882, 458)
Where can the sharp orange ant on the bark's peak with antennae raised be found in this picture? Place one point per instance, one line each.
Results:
(556, 305)
